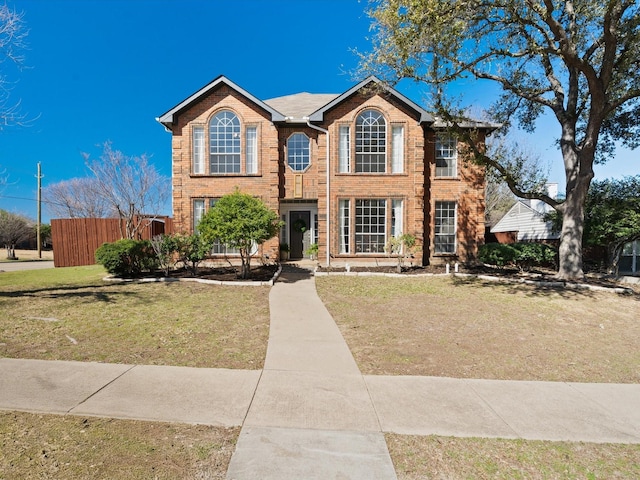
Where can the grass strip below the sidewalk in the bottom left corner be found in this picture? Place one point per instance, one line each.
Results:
(74, 448)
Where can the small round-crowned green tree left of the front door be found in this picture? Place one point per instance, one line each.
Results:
(240, 221)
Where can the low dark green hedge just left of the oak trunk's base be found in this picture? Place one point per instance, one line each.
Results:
(522, 255)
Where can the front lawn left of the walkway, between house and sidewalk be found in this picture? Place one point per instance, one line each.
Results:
(72, 314)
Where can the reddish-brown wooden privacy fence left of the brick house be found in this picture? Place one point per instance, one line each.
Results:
(75, 240)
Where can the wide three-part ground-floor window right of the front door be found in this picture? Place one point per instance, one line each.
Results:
(370, 222)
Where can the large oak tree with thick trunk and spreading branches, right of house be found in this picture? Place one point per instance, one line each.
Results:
(577, 59)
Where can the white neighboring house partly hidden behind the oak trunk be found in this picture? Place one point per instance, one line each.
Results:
(525, 221)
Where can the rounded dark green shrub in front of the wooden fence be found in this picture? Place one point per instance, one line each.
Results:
(126, 258)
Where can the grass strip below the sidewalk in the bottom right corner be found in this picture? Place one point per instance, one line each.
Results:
(424, 457)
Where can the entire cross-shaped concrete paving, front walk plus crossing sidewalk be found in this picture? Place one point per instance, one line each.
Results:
(310, 413)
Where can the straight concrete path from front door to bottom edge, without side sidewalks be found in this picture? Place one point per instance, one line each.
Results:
(312, 416)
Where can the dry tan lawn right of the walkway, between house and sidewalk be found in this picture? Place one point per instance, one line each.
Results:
(465, 328)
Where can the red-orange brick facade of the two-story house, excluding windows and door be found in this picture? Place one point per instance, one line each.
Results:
(417, 186)
